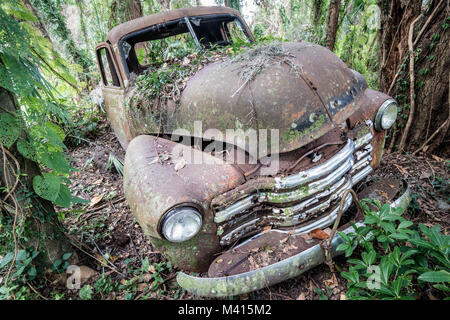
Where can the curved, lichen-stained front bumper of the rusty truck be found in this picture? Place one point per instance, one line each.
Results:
(273, 273)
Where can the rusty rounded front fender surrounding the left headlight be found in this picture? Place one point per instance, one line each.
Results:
(159, 175)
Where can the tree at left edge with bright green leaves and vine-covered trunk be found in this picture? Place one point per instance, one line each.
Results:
(29, 140)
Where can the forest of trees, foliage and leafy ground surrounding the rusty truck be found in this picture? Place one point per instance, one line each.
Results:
(61, 195)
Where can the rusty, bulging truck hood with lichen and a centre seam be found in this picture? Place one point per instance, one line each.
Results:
(302, 99)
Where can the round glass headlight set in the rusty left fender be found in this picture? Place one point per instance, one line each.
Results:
(181, 224)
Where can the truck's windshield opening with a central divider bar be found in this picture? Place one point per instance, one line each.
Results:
(173, 40)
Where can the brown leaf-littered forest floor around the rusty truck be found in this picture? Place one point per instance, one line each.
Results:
(120, 263)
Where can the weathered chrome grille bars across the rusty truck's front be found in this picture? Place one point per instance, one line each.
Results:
(316, 194)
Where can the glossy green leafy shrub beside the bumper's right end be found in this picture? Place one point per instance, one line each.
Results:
(395, 258)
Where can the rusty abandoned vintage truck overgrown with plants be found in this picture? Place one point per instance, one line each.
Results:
(235, 226)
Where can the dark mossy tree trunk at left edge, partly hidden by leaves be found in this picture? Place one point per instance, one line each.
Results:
(46, 232)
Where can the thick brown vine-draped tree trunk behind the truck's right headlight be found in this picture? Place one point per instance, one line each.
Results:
(431, 73)
